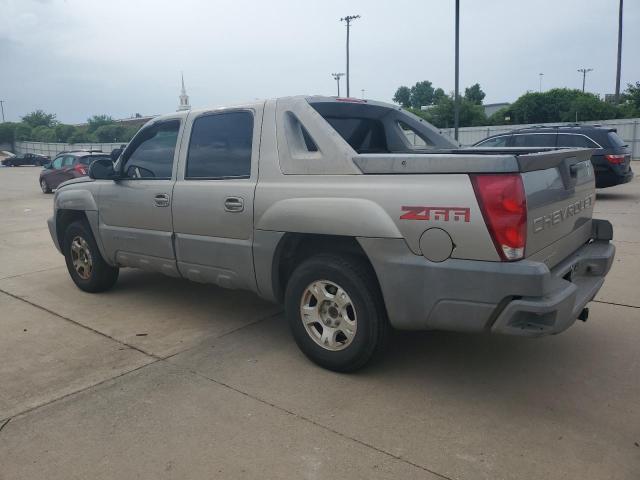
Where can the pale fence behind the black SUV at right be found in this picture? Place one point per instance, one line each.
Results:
(628, 130)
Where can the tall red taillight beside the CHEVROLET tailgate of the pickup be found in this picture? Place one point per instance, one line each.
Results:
(504, 208)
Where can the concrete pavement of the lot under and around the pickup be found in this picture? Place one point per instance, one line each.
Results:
(161, 378)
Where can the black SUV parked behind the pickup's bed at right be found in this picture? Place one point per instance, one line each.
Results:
(611, 159)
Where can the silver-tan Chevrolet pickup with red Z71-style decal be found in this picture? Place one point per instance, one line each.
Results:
(323, 204)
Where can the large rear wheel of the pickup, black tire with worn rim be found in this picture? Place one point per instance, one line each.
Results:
(323, 273)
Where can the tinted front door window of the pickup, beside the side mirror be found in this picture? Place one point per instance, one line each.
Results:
(150, 154)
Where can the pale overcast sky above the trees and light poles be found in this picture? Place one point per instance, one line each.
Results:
(77, 58)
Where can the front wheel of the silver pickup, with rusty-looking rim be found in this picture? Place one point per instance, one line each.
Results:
(90, 273)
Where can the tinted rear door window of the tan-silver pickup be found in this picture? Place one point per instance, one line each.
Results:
(220, 146)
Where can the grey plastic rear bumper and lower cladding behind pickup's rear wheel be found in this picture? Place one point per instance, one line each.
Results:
(523, 298)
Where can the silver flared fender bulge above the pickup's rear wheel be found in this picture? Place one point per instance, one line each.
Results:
(351, 217)
